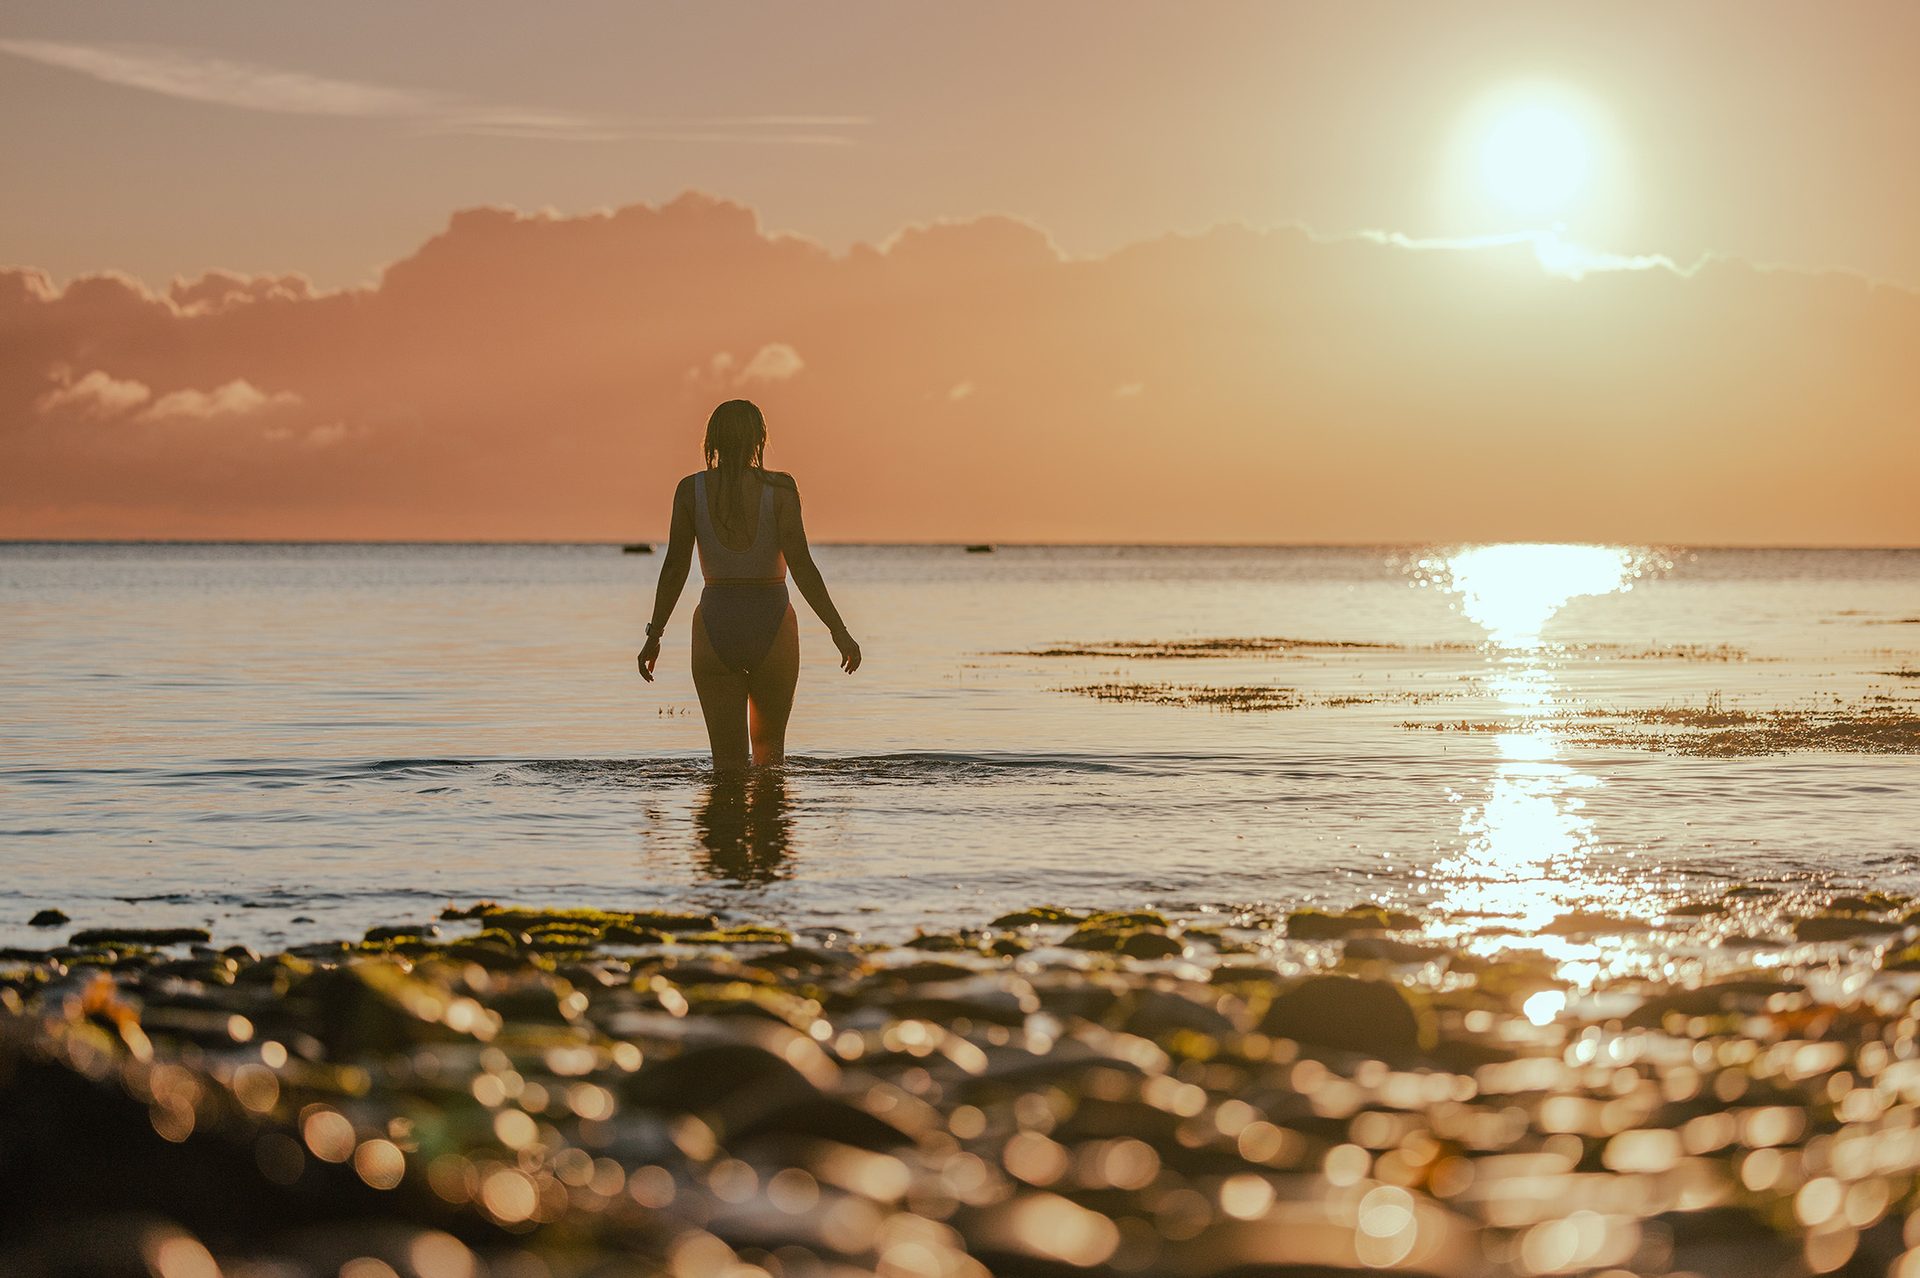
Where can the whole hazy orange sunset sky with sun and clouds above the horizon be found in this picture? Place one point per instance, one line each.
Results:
(997, 272)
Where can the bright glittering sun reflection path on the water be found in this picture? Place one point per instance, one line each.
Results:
(1527, 853)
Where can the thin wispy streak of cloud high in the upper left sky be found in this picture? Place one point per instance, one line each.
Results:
(195, 76)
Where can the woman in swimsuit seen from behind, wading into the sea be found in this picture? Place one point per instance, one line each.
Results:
(746, 642)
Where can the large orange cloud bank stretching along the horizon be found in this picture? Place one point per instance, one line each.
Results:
(548, 377)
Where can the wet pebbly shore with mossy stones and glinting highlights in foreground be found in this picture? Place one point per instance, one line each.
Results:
(531, 1093)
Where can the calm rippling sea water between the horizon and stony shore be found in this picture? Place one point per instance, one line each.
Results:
(302, 742)
